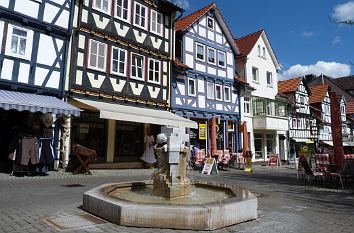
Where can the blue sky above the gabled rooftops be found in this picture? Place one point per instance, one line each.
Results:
(303, 37)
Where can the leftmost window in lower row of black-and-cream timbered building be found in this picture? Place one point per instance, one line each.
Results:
(97, 58)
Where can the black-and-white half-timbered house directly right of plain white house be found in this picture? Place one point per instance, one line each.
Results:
(302, 119)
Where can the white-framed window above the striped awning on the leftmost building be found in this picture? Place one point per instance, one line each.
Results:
(19, 42)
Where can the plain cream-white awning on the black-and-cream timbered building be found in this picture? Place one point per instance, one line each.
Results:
(138, 114)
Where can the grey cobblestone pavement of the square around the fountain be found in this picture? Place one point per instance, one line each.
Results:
(284, 204)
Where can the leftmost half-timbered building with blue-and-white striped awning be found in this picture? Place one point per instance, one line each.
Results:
(34, 39)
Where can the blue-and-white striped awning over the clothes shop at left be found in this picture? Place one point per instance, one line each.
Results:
(35, 103)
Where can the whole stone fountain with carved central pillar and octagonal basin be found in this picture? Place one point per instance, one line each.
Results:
(170, 200)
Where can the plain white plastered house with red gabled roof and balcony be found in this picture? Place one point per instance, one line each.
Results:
(262, 108)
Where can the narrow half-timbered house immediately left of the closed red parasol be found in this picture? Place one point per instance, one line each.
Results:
(320, 99)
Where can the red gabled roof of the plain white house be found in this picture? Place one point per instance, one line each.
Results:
(246, 43)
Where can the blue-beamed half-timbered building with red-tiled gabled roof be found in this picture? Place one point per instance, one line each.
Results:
(205, 91)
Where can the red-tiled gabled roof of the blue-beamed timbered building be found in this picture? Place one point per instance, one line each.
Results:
(184, 23)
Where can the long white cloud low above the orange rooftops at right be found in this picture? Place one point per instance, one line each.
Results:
(332, 69)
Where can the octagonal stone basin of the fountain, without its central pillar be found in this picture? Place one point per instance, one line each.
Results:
(209, 206)
